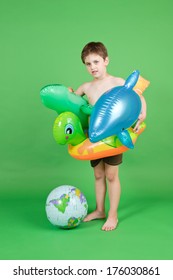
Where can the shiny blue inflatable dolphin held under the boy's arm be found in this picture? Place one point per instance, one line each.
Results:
(115, 111)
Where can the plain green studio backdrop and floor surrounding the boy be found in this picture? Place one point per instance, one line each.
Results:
(41, 42)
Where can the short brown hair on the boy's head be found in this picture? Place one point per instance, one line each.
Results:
(94, 47)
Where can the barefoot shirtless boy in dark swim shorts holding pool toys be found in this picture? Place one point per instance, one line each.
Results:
(94, 55)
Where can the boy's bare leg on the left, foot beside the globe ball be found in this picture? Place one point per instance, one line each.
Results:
(100, 189)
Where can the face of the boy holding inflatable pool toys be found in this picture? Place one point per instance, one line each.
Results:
(96, 65)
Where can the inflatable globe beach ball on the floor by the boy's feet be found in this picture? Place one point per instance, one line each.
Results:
(66, 207)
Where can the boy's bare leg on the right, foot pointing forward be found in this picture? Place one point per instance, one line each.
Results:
(114, 191)
